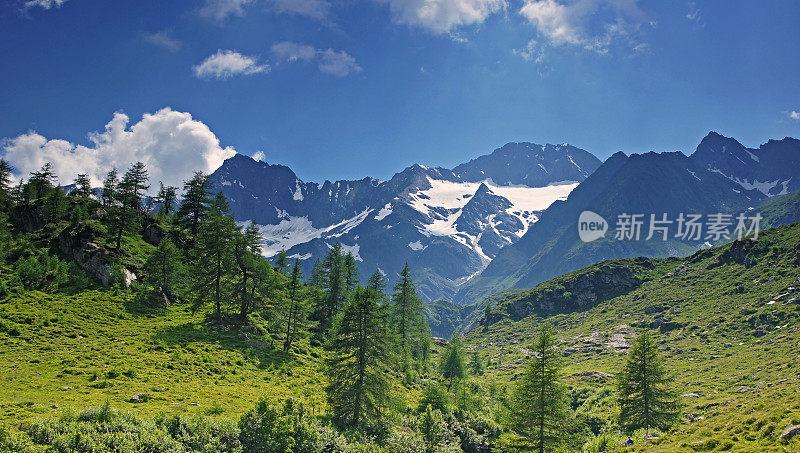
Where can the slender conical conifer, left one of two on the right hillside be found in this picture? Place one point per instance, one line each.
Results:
(539, 408)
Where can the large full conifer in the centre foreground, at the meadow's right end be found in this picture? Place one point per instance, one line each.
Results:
(360, 355)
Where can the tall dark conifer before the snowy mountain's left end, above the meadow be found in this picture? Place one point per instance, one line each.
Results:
(213, 264)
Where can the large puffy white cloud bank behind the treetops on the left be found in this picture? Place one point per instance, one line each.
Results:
(170, 143)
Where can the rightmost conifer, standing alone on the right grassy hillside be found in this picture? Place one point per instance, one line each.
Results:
(645, 398)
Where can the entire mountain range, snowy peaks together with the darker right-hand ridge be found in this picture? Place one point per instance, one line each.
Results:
(507, 219)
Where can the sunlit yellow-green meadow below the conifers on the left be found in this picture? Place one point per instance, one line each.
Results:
(96, 346)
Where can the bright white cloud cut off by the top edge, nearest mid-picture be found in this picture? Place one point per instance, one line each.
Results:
(443, 16)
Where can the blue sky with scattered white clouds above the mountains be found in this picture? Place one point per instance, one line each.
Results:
(343, 89)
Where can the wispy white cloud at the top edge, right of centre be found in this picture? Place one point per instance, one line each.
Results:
(594, 25)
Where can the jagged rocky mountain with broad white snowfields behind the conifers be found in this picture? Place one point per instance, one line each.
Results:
(447, 224)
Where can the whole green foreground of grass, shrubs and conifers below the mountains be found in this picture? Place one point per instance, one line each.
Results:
(131, 324)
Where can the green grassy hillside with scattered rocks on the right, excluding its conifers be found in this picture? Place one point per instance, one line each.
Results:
(728, 323)
